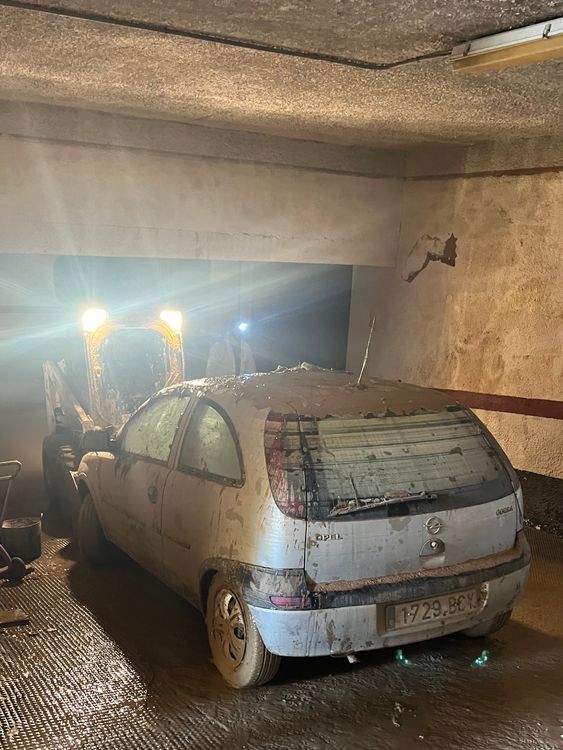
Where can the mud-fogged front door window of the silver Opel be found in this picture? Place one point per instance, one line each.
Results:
(150, 432)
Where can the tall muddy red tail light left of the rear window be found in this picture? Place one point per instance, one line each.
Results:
(285, 465)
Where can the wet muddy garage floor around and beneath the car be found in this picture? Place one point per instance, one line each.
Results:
(113, 659)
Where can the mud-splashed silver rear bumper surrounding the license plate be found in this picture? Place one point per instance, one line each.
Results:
(340, 630)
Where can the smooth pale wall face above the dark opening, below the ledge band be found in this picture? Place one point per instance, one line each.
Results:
(69, 198)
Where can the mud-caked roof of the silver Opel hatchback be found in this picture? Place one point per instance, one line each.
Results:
(318, 393)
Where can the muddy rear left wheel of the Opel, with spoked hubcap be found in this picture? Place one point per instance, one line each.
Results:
(238, 651)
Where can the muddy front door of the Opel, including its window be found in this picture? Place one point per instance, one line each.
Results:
(133, 483)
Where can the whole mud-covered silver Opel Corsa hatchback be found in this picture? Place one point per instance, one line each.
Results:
(306, 516)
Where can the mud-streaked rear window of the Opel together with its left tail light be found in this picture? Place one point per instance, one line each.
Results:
(327, 465)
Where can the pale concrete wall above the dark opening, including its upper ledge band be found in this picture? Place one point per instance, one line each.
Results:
(75, 181)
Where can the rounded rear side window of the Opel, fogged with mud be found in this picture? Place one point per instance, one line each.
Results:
(210, 447)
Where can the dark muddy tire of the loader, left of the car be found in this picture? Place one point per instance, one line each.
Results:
(59, 459)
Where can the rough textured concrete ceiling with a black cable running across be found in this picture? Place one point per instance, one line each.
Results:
(141, 57)
